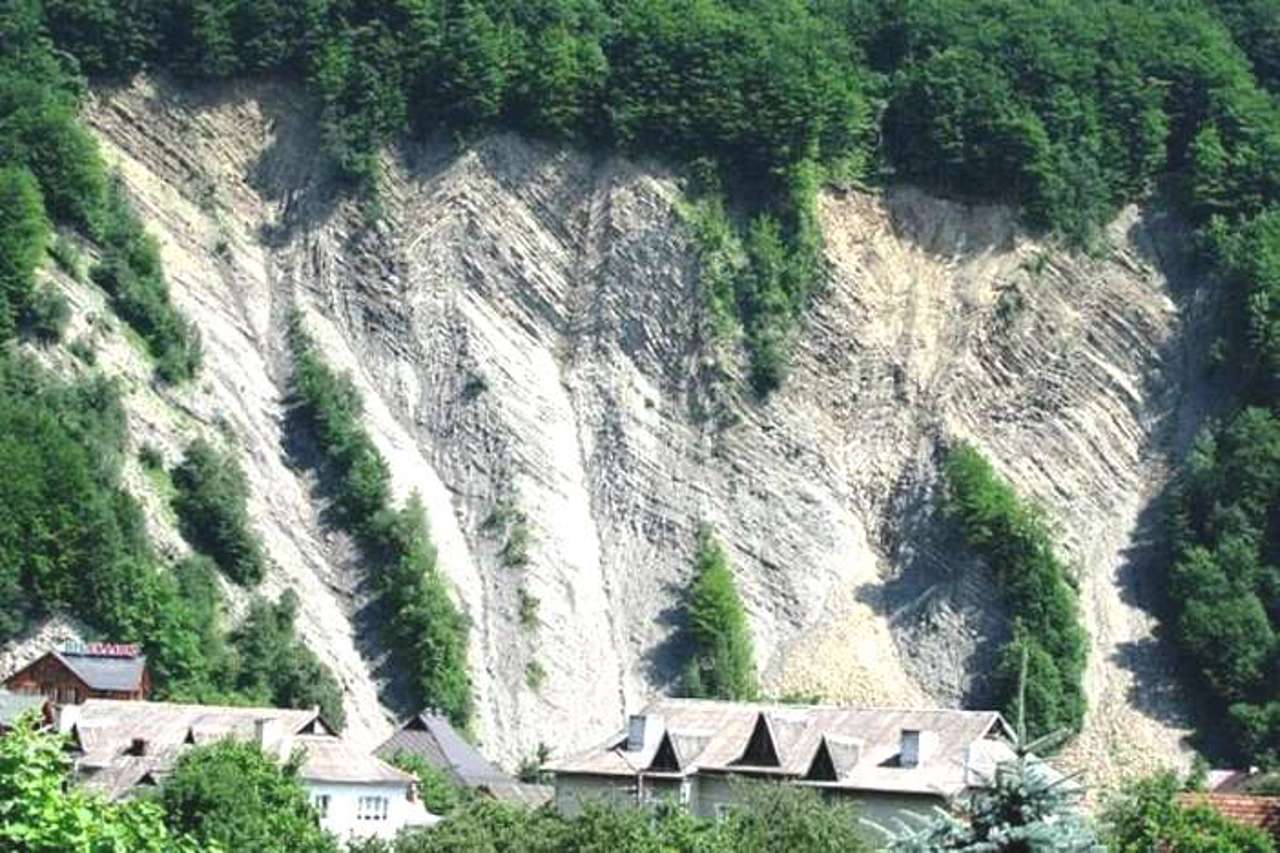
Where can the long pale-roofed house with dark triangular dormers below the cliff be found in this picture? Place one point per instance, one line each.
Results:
(888, 761)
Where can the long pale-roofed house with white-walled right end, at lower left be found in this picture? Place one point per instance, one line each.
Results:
(124, 747)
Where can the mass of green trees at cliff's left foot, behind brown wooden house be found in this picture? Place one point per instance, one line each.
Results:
(74, 540)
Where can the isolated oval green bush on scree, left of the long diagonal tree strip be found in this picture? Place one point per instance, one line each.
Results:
(211, 503)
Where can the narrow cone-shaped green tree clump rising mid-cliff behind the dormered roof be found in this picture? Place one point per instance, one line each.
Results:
(724, 664)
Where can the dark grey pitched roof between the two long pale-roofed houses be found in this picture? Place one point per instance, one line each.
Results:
(431, 737)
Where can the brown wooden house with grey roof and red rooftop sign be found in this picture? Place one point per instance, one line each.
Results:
(89, 672)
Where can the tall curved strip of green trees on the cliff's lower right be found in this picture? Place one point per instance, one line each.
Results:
(1014, 540)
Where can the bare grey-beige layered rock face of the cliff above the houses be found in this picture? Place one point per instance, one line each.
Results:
(527, 327)
